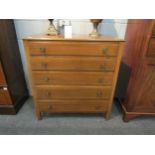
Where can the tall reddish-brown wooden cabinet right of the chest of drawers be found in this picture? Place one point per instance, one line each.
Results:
(139, 60)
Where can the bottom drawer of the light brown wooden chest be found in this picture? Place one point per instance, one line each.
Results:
(73, 106)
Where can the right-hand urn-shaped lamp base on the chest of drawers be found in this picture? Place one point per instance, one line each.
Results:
(95, 22)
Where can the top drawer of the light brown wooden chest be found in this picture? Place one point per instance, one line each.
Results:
(70, 48)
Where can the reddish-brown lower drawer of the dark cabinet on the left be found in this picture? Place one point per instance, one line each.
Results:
(4, 97)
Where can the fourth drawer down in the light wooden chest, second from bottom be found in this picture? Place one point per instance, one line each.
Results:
(72, 92)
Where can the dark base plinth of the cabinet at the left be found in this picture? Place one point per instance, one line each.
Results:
(12, 109)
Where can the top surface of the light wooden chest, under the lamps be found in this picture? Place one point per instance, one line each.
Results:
(81, 38)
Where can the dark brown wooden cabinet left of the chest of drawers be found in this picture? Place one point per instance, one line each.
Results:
(13, 89)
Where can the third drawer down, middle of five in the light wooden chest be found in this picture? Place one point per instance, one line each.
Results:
(73, 78)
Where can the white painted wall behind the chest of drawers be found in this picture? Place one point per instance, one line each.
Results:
(112, 27)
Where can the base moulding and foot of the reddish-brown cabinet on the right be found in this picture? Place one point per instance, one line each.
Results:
(127, 116)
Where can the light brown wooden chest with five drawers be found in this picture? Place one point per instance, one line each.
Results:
(73, 75)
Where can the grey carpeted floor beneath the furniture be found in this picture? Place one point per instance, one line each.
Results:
(73, 124)
